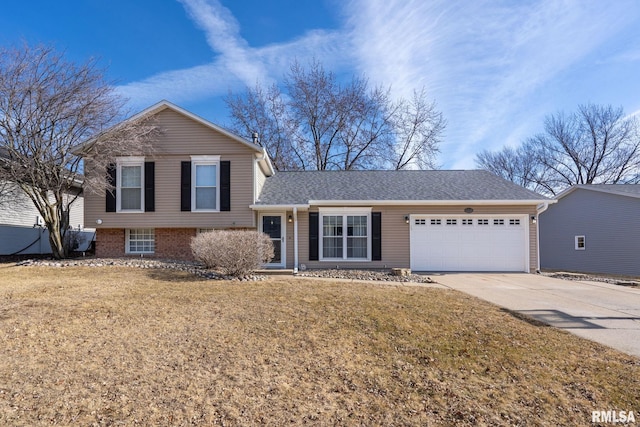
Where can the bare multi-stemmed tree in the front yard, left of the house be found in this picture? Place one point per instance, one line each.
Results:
(48, 108)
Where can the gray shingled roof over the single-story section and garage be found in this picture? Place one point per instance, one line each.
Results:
(298, 188)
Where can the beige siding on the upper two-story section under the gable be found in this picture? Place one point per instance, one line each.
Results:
(180, 139)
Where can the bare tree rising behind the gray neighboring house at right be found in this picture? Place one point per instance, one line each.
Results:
(596, 144)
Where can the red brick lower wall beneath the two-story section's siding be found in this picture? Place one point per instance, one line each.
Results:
(170, 243)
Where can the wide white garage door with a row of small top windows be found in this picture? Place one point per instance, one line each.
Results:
(469, 243)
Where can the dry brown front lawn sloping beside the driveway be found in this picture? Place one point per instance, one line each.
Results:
(121, 346)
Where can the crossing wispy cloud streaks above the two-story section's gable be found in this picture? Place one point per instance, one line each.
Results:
(235, 63)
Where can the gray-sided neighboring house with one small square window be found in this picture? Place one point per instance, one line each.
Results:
(594, 229)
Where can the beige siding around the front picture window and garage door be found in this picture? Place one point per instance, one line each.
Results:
(395, 234)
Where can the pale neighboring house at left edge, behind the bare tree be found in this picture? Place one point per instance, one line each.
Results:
(22, 230)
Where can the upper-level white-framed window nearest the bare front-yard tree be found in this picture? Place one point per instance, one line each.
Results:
(130, 184)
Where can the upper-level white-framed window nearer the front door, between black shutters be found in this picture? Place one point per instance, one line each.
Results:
(205, 176)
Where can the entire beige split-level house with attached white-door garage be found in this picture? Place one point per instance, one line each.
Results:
(201, 177)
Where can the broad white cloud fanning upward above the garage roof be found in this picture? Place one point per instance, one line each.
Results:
(480, 60)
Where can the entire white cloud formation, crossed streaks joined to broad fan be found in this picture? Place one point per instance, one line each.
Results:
(484, 62)
